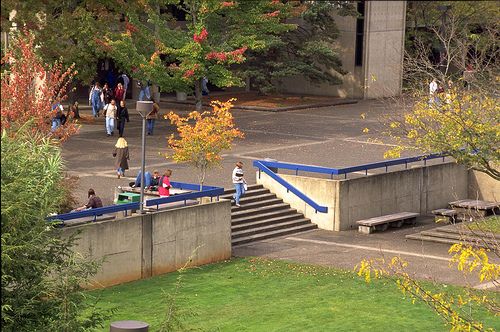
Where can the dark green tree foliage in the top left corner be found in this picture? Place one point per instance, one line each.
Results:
(67, 31)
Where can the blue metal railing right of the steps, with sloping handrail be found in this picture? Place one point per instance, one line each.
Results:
(264, 166)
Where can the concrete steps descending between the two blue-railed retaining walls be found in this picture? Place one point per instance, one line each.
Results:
(262, 215)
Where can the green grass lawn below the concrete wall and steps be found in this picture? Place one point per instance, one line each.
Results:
(254, 294)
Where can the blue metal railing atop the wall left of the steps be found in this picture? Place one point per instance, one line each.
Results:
(208, 191)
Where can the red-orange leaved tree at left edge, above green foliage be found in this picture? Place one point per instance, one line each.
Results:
(30, 89)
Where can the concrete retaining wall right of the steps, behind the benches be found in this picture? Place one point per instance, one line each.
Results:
(420, 189)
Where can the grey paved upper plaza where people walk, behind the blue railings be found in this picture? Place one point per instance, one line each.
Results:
(327, 136)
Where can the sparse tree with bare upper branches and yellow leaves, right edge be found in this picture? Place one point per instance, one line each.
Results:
(461, 118)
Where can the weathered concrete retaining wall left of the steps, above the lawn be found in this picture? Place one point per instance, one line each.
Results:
(143, 246)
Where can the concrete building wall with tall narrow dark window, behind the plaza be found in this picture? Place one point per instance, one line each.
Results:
(372, 48)
